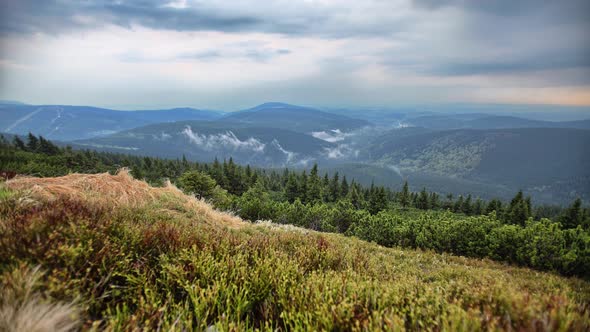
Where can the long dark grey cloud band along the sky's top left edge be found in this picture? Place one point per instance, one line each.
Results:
(29, 16)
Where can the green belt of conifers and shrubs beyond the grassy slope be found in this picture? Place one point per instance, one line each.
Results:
(543, 237)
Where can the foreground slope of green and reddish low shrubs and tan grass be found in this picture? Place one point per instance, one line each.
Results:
(131, 256)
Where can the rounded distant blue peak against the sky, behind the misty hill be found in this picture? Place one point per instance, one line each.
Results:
(295, 118)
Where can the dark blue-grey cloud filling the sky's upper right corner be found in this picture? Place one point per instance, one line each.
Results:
(532, 35)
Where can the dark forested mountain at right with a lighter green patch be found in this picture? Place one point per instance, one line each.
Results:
(542, 160)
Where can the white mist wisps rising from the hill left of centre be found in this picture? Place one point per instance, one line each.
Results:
(227, 140)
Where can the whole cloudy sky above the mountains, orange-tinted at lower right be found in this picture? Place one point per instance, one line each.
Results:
(227, 55)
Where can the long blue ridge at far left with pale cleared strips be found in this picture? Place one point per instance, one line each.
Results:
(62, 122)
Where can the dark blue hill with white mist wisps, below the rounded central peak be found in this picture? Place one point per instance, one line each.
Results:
(204, 141)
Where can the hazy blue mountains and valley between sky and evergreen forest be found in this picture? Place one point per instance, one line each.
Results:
(488, 155)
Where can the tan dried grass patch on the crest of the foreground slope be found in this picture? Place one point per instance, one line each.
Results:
(120, 190)
